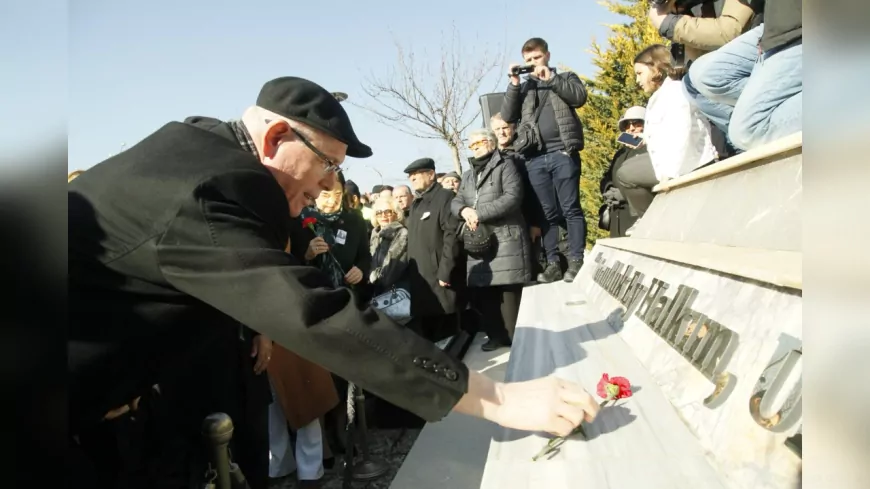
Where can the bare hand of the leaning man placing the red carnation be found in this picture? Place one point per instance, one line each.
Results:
(548, 404)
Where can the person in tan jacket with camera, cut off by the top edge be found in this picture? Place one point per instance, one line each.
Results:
(703, 25)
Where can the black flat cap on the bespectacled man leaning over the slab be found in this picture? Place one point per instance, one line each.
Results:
(301, 100)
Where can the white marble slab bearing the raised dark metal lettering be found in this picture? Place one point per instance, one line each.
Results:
(766, 322)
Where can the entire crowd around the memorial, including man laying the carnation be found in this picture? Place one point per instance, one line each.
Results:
(193, 289)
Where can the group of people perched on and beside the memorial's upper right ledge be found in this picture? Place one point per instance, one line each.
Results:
(735, 84)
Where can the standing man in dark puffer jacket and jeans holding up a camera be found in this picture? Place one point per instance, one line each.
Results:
(550, 136)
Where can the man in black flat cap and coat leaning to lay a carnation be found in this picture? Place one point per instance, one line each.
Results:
(183, 236)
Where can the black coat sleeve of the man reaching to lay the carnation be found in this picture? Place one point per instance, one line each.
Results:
(220, 250)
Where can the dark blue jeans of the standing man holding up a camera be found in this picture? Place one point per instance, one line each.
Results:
(555, 178)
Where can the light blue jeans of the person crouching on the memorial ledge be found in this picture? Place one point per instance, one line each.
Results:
(753, 99)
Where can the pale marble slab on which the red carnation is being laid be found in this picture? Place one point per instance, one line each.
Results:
(641, 442)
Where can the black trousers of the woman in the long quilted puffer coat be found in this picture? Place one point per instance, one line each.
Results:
(499, 306)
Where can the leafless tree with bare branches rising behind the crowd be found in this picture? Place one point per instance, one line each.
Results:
(414, 100)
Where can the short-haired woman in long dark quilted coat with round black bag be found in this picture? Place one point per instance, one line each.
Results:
(491, 195)
